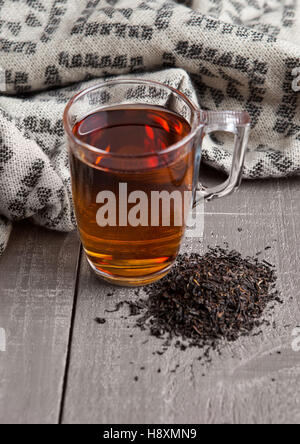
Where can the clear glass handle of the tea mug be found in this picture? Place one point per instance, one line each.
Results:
(238, 123)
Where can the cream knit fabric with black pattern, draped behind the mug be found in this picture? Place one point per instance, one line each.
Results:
(224, 54)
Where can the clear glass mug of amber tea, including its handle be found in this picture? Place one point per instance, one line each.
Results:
(135, 151)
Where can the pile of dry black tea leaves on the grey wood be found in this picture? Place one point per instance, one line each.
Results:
(206, 299)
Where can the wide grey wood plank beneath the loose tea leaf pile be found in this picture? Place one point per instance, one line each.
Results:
(249, 383)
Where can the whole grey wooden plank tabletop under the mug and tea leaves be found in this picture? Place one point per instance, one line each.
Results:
(58, 365)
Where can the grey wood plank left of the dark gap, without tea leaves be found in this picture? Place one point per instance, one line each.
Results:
(37, 279)
